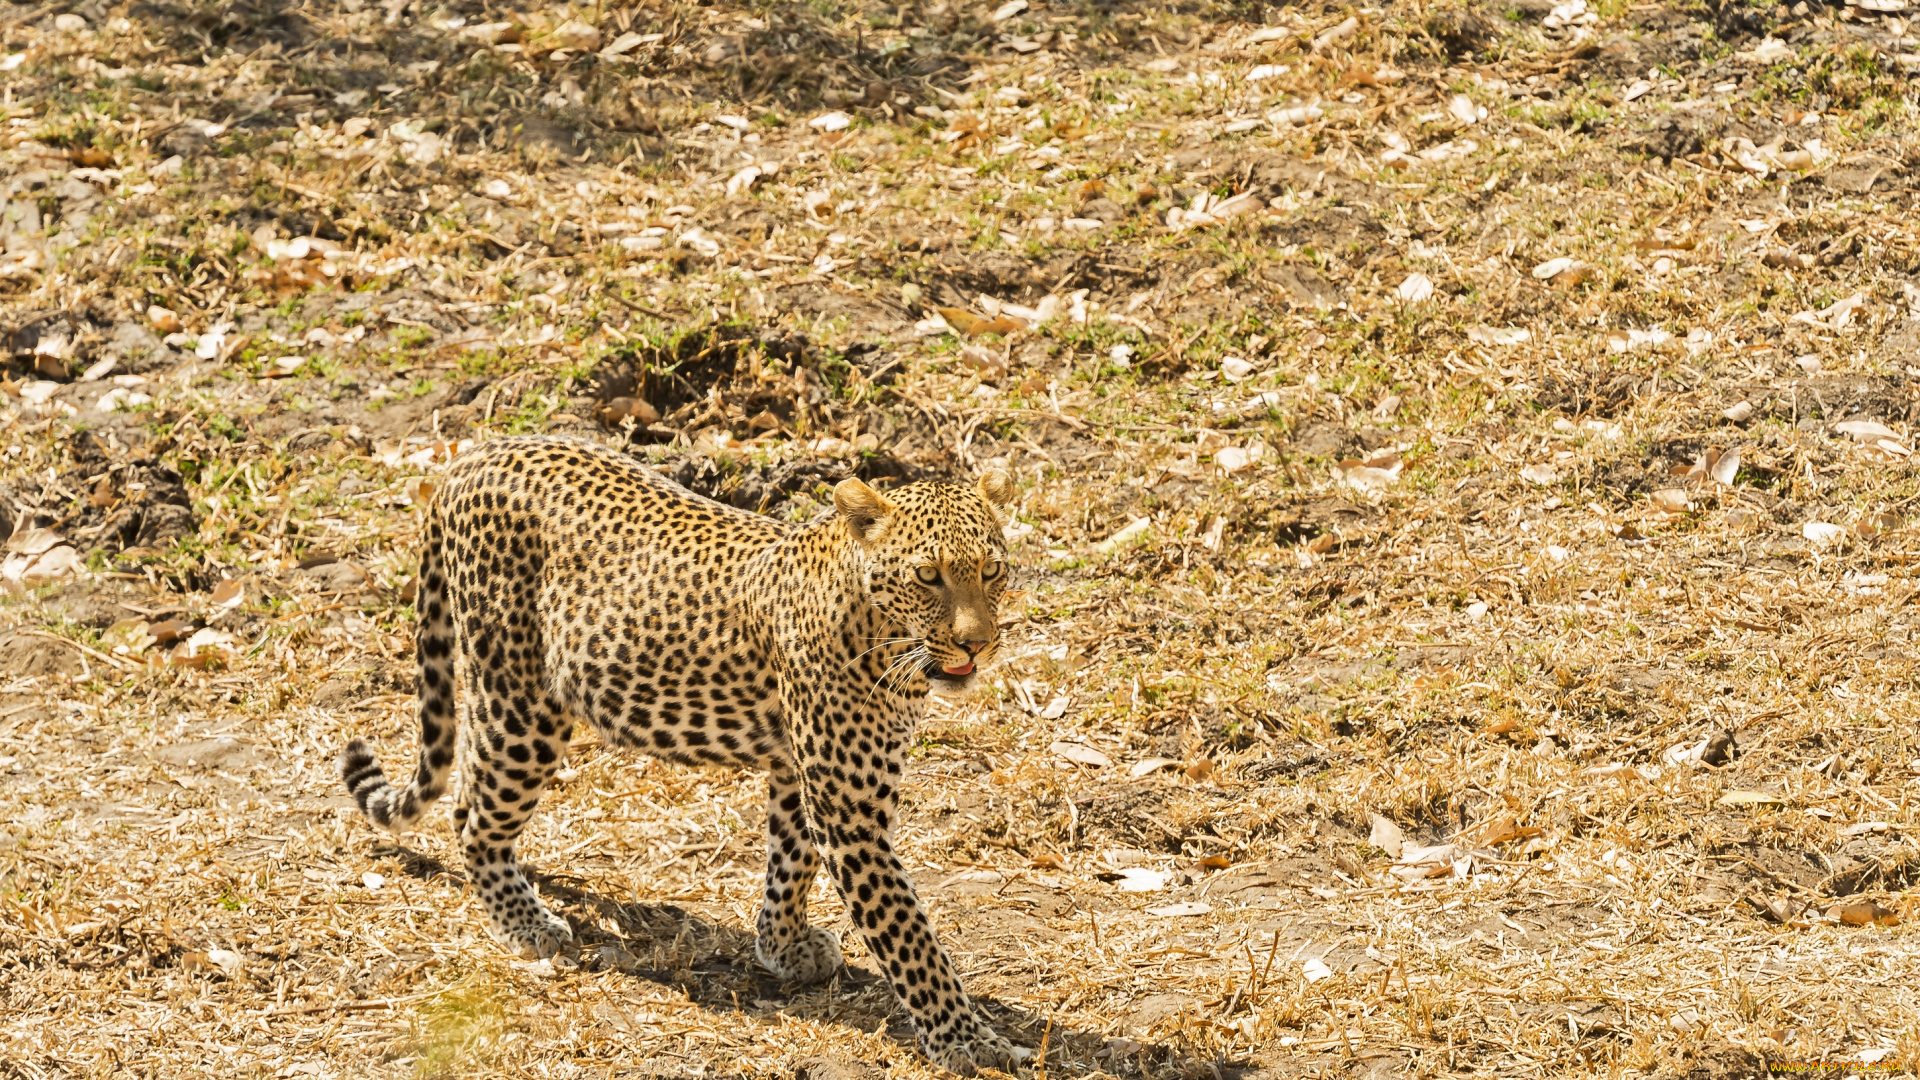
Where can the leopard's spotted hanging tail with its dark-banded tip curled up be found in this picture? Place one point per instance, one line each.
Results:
(400, 808)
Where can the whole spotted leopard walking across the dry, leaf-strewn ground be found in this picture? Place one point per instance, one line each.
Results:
(569, 583)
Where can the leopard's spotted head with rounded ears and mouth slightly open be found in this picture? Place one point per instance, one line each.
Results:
(934, 564)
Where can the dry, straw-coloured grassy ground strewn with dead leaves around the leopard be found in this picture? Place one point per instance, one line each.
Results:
(1464, 531)
